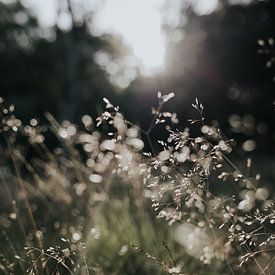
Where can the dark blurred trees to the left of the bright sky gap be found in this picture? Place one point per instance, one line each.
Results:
(51, 70)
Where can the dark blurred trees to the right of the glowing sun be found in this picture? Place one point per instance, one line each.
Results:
(218, 62)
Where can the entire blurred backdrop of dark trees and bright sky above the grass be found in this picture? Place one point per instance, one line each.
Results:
(64, 56)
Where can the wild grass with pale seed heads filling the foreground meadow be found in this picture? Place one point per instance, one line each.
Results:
(109, 199)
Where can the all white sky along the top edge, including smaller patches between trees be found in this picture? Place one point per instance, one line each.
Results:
(137, 22)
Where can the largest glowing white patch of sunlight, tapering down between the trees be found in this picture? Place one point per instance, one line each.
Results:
(139, 24)
